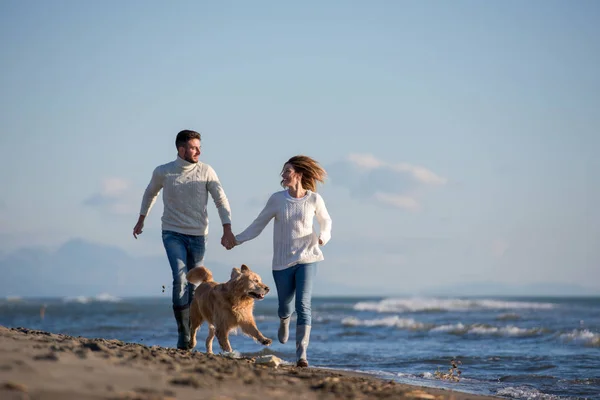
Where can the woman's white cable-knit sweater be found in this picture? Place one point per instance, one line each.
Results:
(294, 240)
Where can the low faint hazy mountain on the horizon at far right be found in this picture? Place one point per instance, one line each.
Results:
(499, 289)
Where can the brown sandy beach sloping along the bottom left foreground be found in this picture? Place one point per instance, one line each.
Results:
(42, 365)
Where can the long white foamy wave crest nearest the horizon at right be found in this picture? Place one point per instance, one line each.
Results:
(437, 304)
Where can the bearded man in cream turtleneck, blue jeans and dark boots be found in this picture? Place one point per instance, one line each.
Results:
(186, 183)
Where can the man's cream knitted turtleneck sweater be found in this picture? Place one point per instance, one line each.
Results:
(185, 188)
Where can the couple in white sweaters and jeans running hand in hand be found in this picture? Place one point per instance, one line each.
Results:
(186, 183)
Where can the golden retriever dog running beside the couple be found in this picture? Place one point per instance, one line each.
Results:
(225, 306)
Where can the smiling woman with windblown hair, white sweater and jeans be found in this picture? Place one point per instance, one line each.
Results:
(296, 249)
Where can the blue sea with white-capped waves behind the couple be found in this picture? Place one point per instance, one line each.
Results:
(514, 348)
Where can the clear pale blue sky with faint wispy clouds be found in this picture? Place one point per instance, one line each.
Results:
(460, 137)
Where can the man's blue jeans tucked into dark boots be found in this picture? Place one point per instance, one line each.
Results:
(184, 253)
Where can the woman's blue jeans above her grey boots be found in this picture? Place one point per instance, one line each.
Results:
(295, 281)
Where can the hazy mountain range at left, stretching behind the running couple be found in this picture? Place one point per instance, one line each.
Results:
(81, 268)
